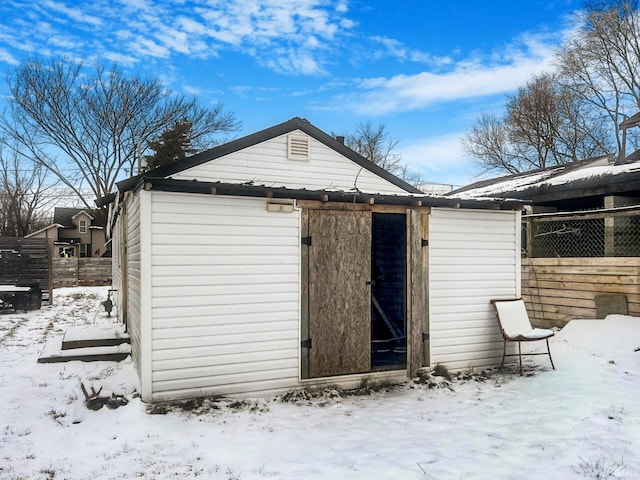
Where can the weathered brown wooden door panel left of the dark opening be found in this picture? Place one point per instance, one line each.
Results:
(339, 293)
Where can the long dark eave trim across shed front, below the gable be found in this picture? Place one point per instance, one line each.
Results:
(219, 188)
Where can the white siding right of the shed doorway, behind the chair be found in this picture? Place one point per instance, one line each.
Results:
(474, 256)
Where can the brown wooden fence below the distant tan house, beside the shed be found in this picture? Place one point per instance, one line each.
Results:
(71, 272)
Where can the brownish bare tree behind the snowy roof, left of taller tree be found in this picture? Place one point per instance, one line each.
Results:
(544, 125)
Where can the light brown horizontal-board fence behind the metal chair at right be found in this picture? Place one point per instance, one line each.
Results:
(557, 290)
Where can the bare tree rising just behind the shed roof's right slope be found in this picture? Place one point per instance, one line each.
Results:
(375, 144)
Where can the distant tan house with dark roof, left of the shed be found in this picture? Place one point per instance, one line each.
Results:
(74, 233)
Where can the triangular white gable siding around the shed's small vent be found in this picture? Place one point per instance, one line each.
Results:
(267, 164)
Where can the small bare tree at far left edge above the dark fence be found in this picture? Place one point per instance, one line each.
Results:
(25, 195)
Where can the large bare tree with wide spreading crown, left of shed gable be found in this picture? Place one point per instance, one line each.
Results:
(88, 128)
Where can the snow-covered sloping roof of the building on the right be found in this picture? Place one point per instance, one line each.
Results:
(594, 176)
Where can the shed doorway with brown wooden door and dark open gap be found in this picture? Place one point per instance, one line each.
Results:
(361, 298)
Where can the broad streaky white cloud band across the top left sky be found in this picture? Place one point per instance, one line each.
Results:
(292, 36)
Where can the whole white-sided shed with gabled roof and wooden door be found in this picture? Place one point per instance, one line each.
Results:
(284, 259)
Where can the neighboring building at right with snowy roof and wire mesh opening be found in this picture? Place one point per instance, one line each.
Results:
(587, 208)
